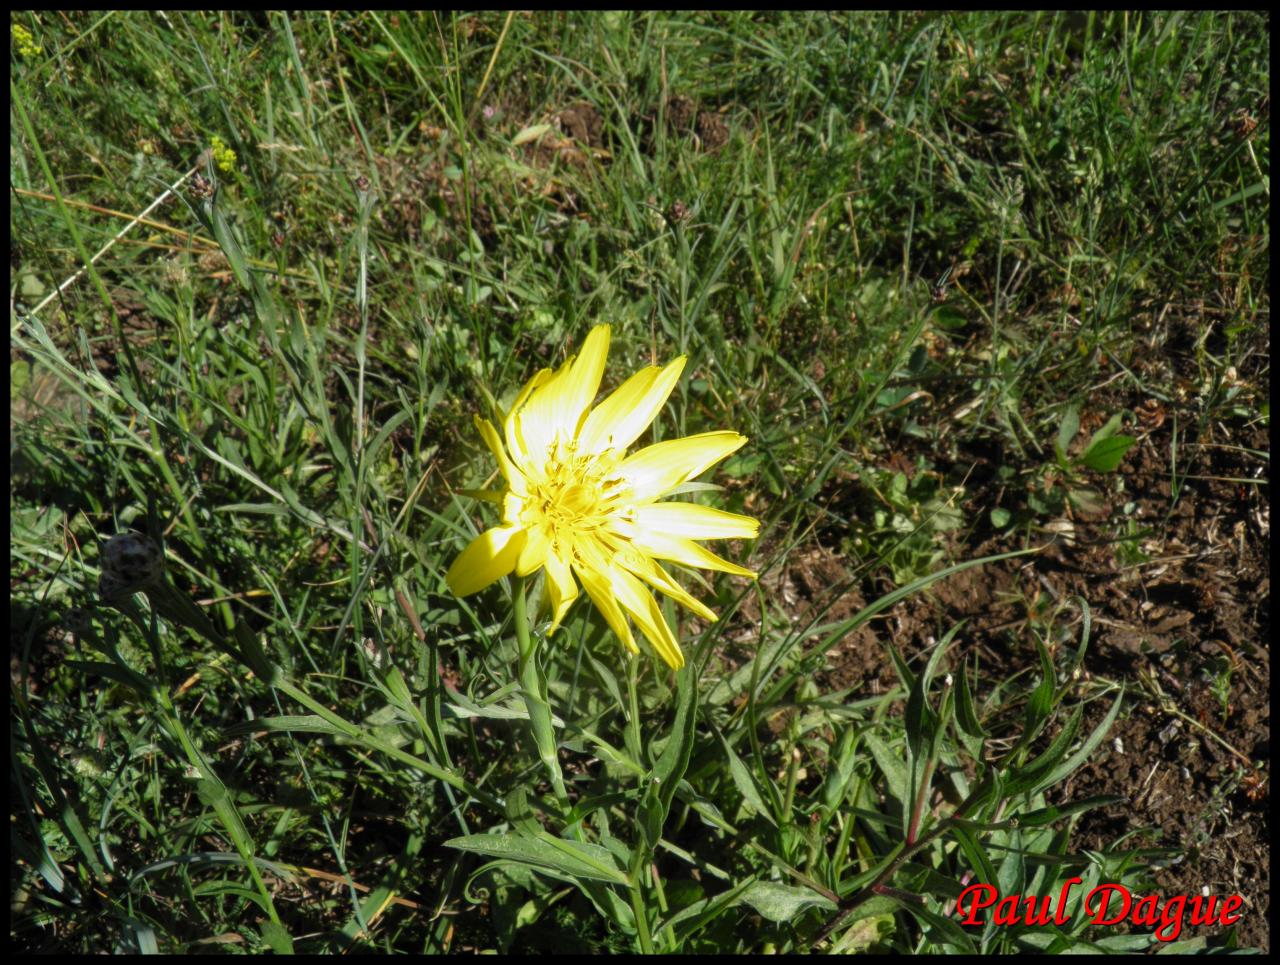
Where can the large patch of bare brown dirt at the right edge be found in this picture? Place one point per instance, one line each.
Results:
(1181, 615)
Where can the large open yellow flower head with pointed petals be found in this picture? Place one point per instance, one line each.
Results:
(578, 506)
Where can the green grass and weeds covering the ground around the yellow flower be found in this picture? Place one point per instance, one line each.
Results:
(276, 369)
